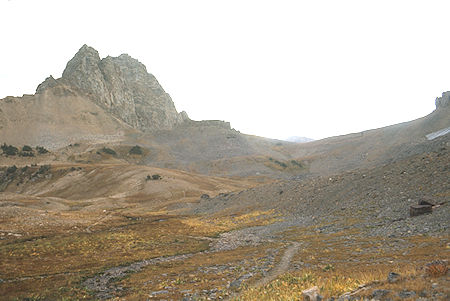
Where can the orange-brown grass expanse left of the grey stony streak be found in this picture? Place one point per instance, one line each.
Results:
(53, 266)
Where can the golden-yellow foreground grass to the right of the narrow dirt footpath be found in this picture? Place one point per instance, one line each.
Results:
(341, 262)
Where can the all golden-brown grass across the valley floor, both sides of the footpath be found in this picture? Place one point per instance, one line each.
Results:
(54, 266)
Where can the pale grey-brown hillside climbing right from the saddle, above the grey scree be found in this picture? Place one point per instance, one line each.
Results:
(371, 148)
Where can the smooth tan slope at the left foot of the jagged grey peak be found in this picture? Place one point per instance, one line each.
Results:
(56, 118)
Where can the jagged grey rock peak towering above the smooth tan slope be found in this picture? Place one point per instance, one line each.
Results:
(122, 86)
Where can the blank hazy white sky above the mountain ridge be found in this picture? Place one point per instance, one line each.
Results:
(272, 68)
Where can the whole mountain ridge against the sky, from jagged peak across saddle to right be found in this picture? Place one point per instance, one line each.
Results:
(115, 102)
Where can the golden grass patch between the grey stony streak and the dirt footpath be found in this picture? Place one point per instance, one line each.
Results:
(197, 273)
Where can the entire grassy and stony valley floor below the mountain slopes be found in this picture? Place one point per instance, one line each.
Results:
(349, 234)
